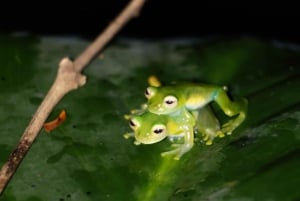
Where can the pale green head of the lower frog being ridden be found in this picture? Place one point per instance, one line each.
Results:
(148, 128)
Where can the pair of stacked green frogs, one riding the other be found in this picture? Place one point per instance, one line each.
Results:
(178, 111)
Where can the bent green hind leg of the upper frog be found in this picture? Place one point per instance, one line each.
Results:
(231, 108)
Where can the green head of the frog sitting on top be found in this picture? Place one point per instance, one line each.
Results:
(164, 100)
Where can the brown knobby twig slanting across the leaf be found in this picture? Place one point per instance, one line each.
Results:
(68, 78)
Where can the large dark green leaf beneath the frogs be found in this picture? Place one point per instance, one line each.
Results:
(87, 158)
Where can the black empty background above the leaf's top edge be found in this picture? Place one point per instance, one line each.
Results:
(158, 19)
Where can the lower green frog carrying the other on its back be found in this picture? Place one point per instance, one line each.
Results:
(149, 128)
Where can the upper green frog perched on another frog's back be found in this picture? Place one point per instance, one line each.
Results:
(171, 100)
